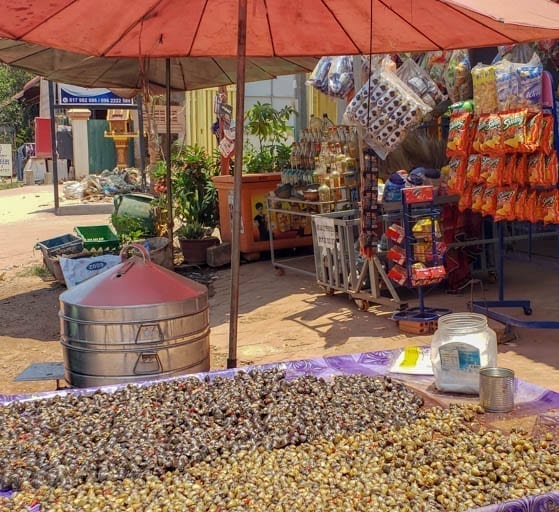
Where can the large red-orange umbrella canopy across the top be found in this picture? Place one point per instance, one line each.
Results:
(286, 28)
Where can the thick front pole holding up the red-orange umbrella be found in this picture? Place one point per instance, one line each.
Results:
(237, 184)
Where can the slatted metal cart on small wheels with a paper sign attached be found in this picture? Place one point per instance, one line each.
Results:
(339, 266)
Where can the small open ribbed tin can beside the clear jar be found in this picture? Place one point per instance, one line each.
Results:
(496, 389)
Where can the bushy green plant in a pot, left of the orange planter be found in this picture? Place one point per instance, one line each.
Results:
(194, 199)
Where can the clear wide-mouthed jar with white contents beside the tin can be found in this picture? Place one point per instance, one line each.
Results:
(462, 344)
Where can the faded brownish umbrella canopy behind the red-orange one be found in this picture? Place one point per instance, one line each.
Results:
(187, 73)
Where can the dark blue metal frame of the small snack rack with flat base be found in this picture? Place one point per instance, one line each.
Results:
(412, 213)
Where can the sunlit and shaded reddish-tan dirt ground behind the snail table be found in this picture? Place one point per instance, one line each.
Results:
(281, 318)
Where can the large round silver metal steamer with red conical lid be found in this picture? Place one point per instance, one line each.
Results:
(136, 321)
